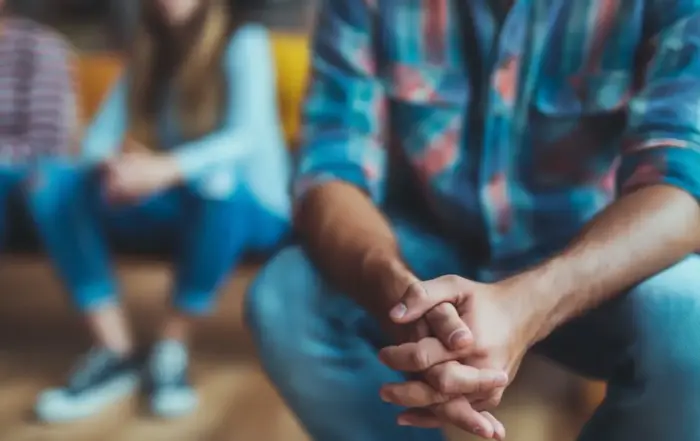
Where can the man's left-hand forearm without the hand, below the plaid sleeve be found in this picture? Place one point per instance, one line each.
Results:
(352, 244)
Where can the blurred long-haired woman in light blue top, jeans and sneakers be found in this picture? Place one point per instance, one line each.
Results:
(187, 149)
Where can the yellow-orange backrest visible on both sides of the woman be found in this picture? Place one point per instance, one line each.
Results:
(98, 71)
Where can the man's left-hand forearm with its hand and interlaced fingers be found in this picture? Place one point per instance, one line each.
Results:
(353, 245)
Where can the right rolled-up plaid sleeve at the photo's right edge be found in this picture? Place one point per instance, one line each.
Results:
(662, 145)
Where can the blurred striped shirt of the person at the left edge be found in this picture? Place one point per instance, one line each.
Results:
(38, 109)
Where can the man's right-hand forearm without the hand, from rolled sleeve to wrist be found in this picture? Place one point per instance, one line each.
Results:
(636, 237)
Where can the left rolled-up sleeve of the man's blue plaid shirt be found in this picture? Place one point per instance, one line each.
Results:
(342, 133)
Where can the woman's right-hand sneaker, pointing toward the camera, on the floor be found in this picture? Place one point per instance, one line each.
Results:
(171, 392)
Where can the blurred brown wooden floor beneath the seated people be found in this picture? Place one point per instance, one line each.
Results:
(39, 338)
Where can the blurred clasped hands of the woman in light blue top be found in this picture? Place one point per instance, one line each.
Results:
(137, 175)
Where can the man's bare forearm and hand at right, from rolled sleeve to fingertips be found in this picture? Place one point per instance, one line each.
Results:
(636, 237)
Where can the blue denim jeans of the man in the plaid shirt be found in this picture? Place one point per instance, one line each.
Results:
(319, 348)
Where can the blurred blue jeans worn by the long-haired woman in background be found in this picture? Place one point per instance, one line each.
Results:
(73, 219)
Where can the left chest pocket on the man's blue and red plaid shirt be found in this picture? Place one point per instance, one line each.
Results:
(427, 105)
